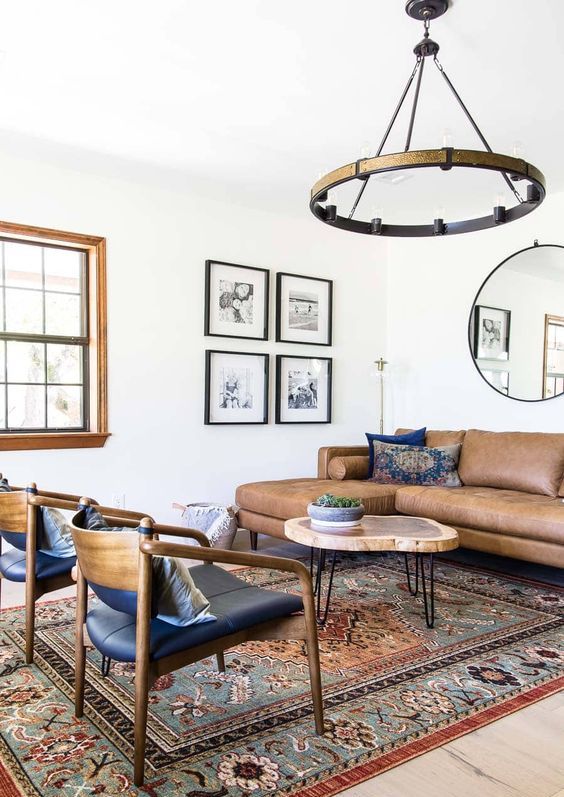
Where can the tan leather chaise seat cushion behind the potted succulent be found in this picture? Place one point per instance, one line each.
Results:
(289, 497)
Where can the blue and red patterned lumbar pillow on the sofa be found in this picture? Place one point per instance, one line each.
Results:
(395, 464)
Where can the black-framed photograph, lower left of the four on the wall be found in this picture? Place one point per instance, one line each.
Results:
(236, 387)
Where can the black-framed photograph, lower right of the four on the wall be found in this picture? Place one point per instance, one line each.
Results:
(303, 389)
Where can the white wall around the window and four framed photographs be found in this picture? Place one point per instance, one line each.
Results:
(158, 240)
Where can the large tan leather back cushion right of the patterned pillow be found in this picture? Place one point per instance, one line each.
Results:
(531, 462)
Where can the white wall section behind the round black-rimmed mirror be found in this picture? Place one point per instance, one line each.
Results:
(432, 286)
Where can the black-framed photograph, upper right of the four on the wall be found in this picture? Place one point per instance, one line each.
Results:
(304, 309)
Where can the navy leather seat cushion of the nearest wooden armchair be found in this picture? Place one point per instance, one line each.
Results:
(236, 604)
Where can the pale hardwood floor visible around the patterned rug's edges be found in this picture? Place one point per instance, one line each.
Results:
(521, 755)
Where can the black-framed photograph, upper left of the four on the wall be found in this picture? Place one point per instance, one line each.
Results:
(236, 301)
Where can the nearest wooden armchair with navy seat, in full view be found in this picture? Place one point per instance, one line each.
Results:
(118, 568)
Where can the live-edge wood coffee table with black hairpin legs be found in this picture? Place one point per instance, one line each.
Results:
(408, 535)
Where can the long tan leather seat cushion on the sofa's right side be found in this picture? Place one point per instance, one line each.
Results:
(519, 514)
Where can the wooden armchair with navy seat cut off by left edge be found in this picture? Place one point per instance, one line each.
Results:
(40, 572)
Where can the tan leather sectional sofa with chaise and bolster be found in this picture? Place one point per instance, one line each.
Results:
(511, 502)
